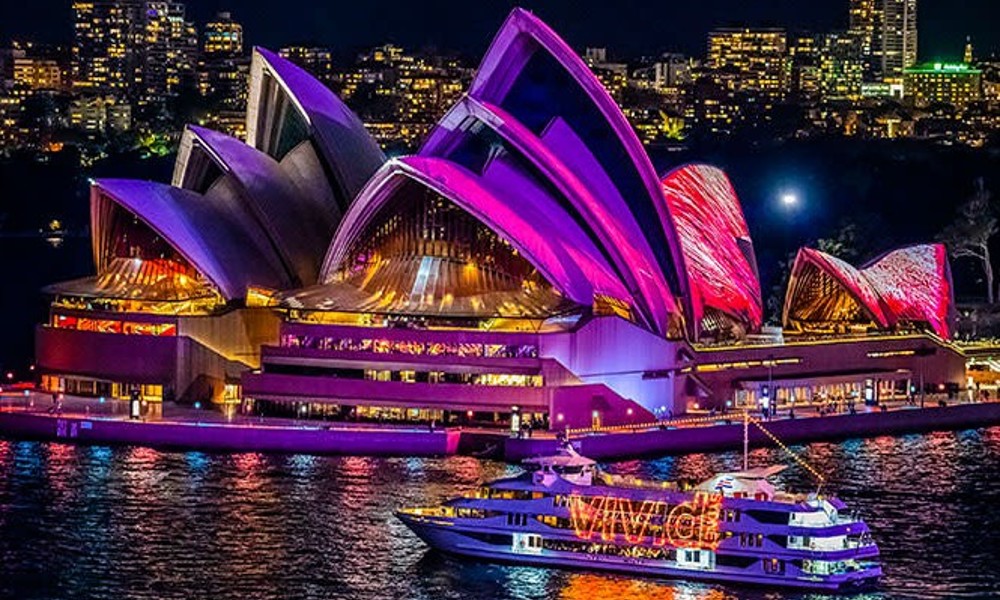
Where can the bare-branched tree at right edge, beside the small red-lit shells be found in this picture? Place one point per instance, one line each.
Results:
(970, 234)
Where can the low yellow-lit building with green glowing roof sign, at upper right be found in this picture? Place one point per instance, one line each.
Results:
(942, 83)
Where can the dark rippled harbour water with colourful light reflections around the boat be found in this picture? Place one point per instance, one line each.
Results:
(98, 522)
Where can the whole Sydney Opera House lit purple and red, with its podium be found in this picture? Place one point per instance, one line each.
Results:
(527, 259)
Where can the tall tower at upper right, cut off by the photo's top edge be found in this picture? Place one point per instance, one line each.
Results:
(887, 34)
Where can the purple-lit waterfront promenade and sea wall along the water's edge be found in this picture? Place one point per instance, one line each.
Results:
(90, 421)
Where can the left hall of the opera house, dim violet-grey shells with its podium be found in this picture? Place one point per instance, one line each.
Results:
(184, 272)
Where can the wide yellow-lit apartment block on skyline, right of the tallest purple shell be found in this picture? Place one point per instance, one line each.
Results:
(749, 60)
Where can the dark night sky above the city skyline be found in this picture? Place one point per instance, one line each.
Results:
(630, 27)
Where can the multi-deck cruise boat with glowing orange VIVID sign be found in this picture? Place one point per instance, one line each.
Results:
(563, 511)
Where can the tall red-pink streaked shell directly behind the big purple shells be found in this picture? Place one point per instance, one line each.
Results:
(711, 228)
